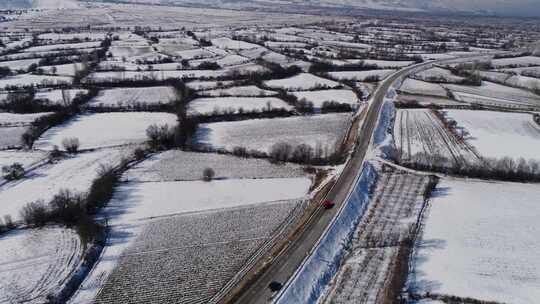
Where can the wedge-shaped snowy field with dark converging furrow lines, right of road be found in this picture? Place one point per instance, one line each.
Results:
(421, 138)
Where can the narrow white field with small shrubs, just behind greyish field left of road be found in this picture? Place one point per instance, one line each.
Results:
(222, 105)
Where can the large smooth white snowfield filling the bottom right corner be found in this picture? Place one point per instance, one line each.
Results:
(491, 251)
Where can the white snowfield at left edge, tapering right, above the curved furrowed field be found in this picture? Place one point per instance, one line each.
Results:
(75, 173)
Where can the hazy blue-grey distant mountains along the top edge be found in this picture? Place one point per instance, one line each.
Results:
(530, 8)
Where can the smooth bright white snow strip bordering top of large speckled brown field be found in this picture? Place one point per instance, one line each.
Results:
(153, 199)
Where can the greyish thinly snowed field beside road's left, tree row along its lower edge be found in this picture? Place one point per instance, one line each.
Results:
(325, 131)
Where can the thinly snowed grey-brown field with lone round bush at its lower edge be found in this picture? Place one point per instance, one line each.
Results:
(174, 165)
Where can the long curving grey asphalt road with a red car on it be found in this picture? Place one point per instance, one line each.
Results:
(286, 263)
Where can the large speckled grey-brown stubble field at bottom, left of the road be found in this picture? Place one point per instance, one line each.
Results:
(188, 257)
